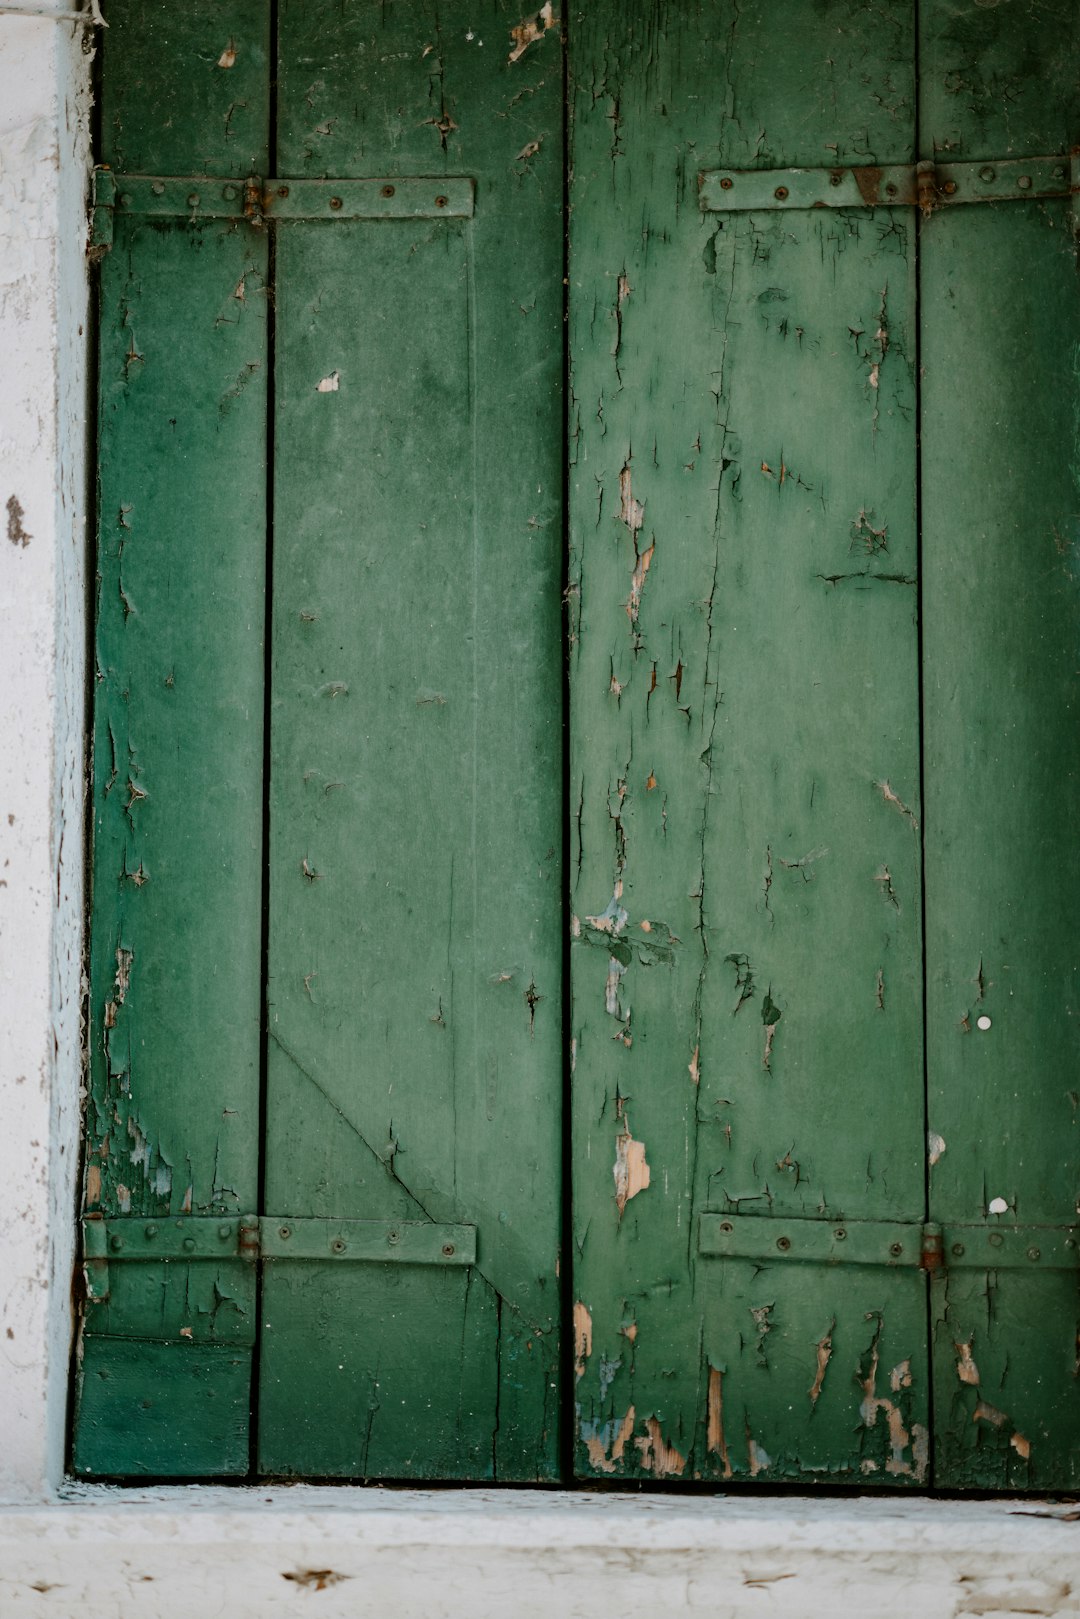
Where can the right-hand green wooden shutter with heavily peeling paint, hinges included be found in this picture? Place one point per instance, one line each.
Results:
(765, 385)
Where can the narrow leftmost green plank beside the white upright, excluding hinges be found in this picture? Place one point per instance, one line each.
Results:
(174, 1107)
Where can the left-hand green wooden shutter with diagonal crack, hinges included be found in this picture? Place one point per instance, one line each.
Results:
(406, 396)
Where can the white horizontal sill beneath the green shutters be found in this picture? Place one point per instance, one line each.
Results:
(198, 1552)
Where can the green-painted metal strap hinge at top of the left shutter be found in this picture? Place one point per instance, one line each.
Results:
(258, 202)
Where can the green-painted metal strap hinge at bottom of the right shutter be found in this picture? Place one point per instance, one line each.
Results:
(895, 1244)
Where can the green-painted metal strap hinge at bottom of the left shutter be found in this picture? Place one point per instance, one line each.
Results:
(190, 1239)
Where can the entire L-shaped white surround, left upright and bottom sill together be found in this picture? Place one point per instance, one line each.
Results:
(253, 1552)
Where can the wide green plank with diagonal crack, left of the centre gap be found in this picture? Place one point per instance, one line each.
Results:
(417, 791)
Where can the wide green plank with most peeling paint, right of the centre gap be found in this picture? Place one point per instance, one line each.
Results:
(744, 746)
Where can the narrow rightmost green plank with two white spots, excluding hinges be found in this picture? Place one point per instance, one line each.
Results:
(1001, 546)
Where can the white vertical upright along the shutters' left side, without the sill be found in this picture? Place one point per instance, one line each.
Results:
(43, 682)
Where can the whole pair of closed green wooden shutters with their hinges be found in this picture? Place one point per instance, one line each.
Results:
(815, 1077)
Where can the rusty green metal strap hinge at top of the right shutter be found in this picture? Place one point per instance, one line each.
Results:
(929, 185)
